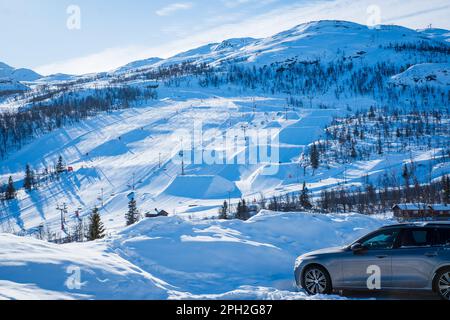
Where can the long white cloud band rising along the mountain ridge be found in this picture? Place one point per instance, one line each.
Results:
(413, 14)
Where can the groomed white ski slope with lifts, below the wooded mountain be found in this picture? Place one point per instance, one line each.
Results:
(138, 147)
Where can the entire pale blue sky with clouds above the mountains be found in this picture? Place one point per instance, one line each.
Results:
(34, 33)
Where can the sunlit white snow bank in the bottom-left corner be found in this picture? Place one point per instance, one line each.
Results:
(32, 269)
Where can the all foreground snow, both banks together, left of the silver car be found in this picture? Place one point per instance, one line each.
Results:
(174, 258)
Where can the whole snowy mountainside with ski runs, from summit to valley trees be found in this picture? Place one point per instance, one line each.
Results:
(119, 131)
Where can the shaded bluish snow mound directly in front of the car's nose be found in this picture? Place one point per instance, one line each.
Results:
(216, 259)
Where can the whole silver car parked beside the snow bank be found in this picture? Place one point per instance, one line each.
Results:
(414, 256)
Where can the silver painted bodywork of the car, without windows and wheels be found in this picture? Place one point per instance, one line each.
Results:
(402, 268)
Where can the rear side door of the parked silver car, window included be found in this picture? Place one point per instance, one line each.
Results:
(415, 258)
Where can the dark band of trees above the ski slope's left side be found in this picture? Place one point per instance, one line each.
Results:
(42, 116)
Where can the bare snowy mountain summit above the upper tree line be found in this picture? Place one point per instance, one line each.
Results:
(325, 40)
